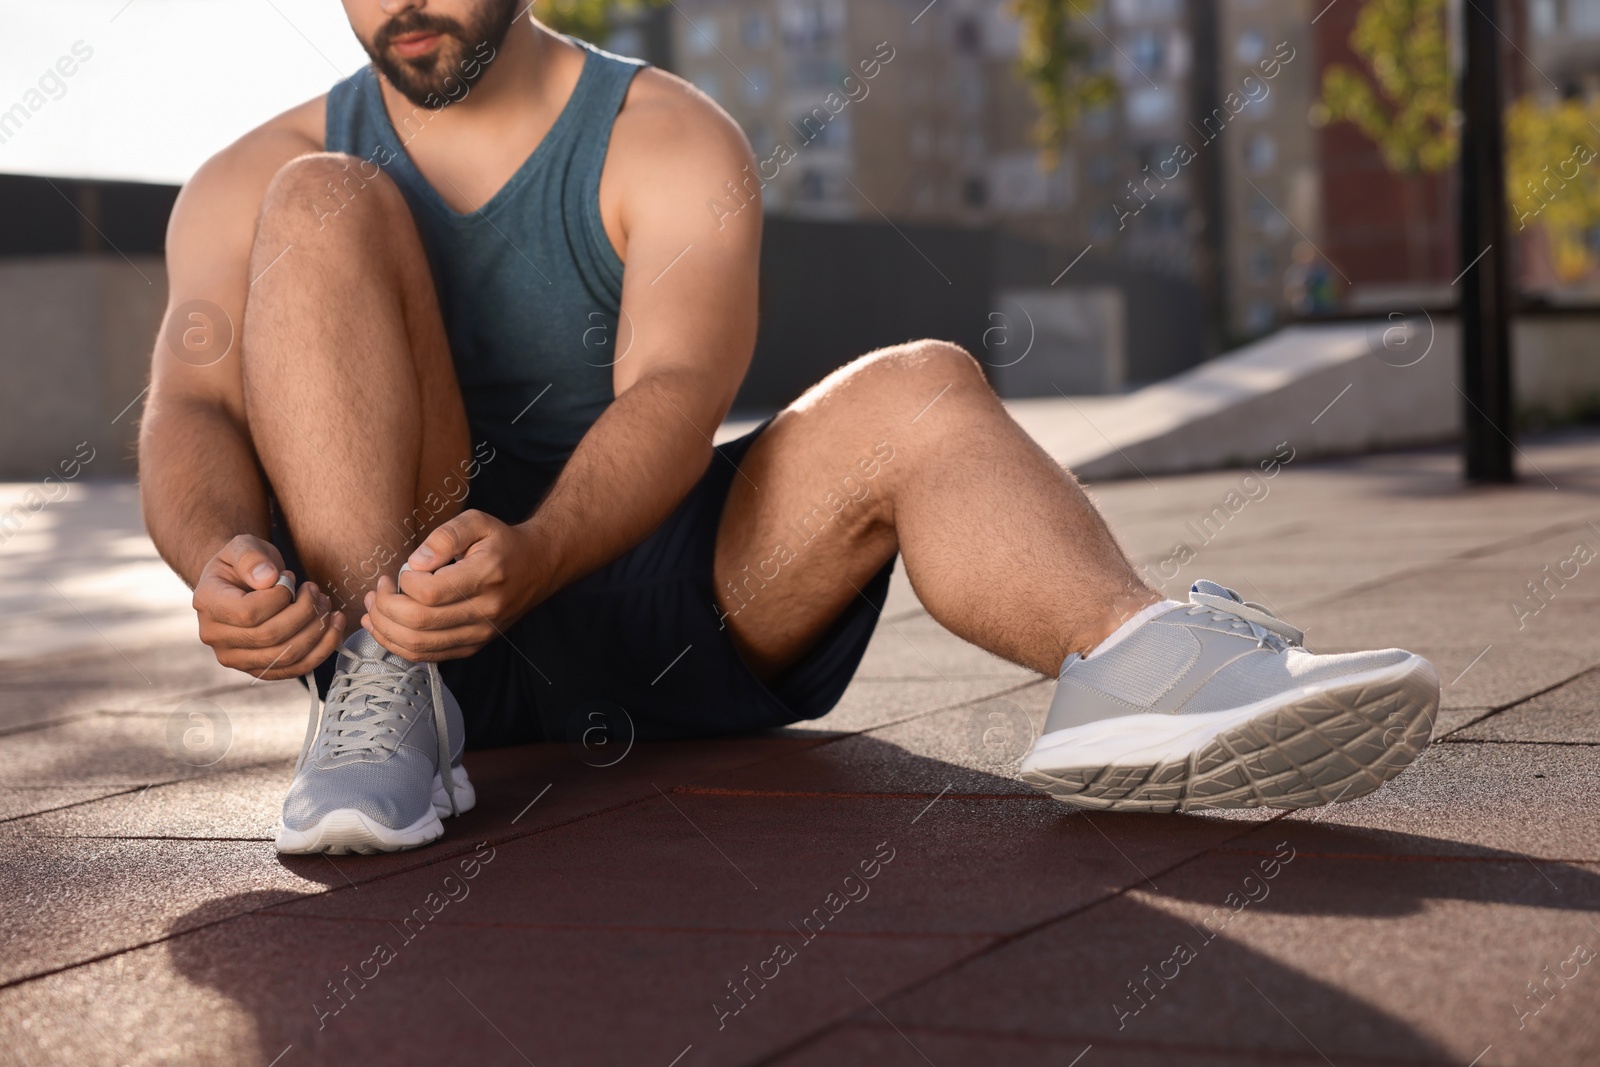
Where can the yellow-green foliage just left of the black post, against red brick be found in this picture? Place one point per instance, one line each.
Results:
(1409, 108)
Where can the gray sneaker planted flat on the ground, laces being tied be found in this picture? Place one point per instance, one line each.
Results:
(369, 777)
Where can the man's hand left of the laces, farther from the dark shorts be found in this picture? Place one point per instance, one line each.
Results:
(257, 626)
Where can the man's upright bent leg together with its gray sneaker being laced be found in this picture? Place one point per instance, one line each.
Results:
(358, 420)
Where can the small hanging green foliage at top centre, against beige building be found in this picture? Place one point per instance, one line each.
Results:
(1055, 65)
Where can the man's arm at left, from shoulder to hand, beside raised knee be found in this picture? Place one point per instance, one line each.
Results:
(204, 500)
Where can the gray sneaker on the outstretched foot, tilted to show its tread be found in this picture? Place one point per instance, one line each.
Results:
(1218, 705)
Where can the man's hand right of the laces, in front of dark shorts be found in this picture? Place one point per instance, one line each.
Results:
(470, 580)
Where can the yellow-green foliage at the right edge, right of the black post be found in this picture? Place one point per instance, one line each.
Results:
(1553, 180)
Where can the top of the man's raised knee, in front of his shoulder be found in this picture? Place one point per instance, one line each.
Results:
(319, 191)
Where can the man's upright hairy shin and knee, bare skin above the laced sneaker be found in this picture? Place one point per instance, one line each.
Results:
(350, 390)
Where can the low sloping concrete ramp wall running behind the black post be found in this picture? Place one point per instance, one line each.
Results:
(1326, 391)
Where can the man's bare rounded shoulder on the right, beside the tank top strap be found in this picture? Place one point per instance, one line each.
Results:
(671, 134)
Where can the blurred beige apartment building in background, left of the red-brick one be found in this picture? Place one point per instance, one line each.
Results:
(1161, 183)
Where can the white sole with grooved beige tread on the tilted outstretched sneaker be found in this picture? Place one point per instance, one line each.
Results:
(1298, 749)
